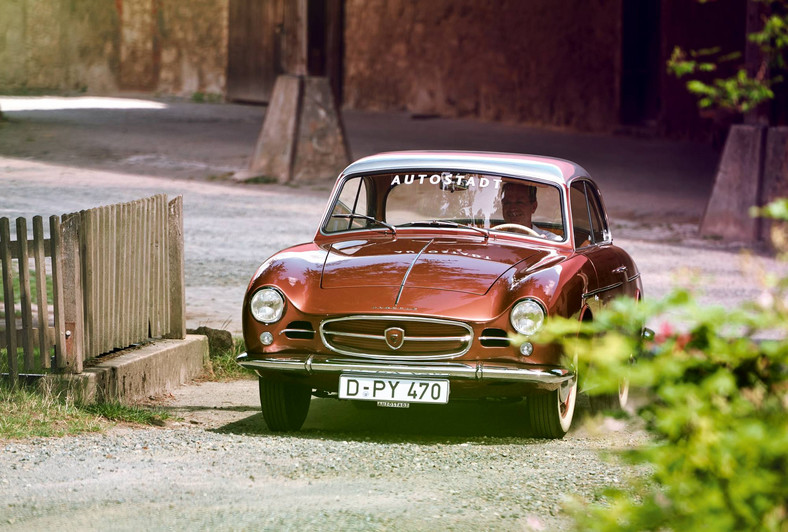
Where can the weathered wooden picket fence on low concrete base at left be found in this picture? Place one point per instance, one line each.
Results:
(116, 280)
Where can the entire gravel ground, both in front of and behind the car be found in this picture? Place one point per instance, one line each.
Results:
(462, 467)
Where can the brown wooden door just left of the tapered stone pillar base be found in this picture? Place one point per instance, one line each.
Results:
(254, 51)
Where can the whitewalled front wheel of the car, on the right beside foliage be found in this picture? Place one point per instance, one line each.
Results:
(551, 413)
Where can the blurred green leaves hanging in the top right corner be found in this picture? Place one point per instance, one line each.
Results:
(742, 91)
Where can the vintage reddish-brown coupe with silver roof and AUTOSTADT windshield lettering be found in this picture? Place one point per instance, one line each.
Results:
(425, 282)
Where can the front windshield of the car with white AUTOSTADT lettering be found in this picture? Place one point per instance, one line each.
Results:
(447, 199)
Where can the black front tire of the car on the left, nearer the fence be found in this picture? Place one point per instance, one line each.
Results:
(284, 405)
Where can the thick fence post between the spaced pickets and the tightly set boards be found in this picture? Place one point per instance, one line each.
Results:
(72, 290)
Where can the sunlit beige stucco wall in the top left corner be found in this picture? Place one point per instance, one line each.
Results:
(102, 46)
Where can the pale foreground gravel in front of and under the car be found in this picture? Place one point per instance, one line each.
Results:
(220, 469)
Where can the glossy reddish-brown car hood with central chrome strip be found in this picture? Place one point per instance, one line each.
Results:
(460, 266)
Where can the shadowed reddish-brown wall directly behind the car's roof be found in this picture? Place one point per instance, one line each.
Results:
(508, 60)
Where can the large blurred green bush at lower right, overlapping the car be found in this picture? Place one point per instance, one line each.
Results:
(717, 385)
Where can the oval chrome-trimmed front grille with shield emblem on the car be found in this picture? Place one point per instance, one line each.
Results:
(396, 337)
